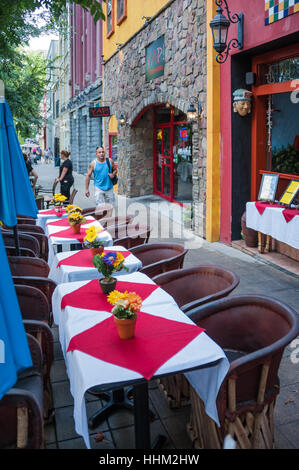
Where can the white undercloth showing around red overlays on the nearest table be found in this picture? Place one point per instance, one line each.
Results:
(85, 371)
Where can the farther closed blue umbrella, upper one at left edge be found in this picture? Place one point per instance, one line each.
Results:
(16, 195)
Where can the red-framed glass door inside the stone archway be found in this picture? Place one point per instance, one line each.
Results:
(172, 155)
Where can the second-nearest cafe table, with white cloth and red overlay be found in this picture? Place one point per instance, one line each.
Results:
(71, 266)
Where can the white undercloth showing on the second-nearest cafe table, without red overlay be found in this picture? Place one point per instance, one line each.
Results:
(66, 273)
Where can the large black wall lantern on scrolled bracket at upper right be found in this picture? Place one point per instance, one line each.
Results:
(220, 25)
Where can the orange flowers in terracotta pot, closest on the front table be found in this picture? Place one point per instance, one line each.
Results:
(126, 307)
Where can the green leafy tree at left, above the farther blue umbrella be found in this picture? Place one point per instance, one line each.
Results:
(24, 77)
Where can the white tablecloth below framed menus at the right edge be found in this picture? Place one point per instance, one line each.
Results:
(273, 223)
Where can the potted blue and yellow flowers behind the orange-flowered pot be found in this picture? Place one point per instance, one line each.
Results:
(107, 264)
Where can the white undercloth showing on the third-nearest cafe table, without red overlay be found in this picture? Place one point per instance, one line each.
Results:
(66, 242)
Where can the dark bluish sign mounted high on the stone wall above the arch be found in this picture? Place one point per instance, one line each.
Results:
(155, 59)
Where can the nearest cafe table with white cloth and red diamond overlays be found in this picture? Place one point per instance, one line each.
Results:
(166, 342)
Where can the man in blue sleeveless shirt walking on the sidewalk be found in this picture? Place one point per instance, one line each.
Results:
(104, 171)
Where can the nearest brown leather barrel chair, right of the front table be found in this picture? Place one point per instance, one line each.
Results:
(253, 330)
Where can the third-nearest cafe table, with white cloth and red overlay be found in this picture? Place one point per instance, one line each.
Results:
(57, 242)
